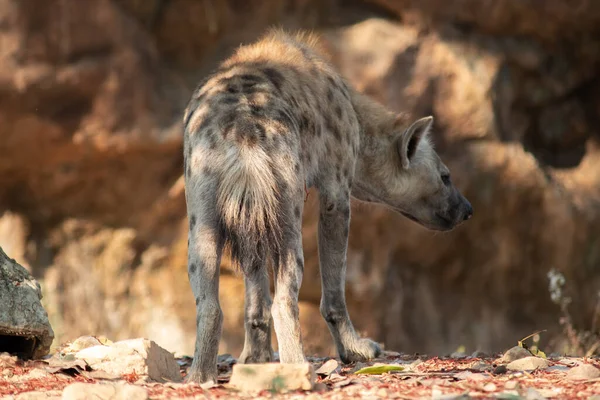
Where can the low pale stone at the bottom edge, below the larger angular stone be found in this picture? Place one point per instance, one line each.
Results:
(102, 391)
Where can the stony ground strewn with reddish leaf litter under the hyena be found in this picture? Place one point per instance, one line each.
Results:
(423, 377)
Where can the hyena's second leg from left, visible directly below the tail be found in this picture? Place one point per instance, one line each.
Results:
(257, 317)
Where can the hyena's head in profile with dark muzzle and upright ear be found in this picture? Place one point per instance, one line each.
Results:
(400, 169)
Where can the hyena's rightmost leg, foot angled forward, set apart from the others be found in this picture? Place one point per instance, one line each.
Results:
(334, 223)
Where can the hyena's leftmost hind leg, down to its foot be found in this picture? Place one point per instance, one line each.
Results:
(204, 258)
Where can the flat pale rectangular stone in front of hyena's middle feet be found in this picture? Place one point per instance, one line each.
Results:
(273, 377)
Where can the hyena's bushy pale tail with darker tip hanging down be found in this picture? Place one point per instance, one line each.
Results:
(249, 202)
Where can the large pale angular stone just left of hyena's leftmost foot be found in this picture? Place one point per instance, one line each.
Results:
(140, 356)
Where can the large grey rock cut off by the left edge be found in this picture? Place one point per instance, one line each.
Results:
(24, 327)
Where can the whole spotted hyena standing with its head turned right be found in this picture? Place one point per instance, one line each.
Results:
(273, 120)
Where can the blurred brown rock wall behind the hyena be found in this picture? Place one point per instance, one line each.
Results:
(92, 94)
